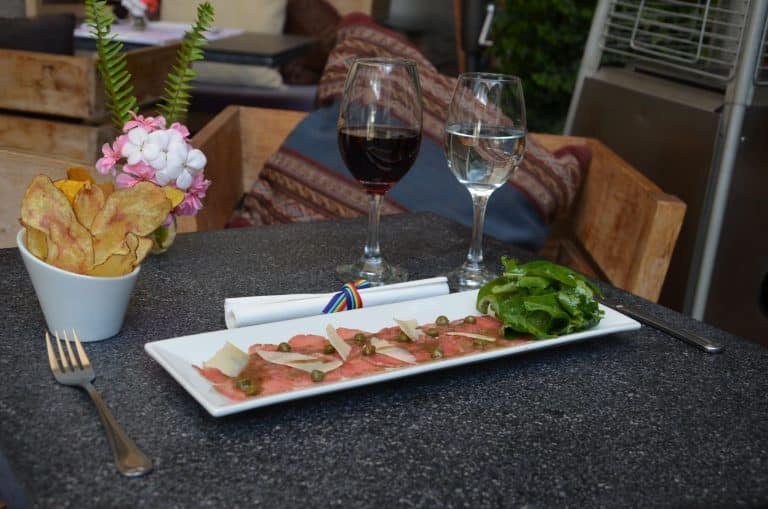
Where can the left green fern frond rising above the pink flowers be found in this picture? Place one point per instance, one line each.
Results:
(112, 64)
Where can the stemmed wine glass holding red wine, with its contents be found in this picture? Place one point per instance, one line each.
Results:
(379, 137)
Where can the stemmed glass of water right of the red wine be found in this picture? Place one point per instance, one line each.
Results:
(484, 143)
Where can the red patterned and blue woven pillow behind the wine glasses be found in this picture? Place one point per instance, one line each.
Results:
(306, 180)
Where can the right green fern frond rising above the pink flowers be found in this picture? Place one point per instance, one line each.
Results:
(178, 85)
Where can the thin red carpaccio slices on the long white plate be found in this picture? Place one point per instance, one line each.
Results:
(262, 378)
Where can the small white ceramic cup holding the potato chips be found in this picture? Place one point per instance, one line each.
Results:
(92, 306)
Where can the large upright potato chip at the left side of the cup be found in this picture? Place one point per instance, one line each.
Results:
(47, 209)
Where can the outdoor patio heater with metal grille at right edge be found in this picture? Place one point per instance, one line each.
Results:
(679, 88)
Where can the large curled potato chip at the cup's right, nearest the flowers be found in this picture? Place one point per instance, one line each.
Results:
(140, 210)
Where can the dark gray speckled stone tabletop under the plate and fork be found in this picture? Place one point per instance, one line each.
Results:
(633, 419)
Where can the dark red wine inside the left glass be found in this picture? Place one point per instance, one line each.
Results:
(379, 157)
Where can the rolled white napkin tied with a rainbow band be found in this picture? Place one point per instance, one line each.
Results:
(243, 311)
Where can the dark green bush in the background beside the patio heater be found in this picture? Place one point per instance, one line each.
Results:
(542, 42)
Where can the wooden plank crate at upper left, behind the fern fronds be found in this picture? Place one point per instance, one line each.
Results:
(54, 105)
